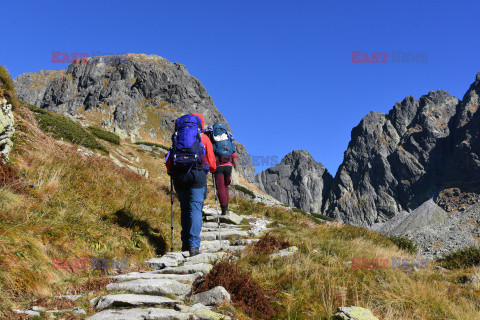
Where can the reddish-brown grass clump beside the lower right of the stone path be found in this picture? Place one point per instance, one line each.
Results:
(246, 294)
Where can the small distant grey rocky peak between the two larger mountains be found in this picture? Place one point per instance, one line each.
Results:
(298, 180)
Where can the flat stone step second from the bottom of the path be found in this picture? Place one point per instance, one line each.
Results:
(134, 300)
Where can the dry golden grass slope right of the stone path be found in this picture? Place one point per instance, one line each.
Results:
(319, 278)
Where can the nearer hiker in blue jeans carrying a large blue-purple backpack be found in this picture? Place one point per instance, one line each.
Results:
(188, 161)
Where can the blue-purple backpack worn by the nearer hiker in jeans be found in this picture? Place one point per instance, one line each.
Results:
(187, 150)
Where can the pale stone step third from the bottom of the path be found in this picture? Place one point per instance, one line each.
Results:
(160, 287)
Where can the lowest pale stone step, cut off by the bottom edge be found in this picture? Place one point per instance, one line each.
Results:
(142, 314)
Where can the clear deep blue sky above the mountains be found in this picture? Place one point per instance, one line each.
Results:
(280, 71)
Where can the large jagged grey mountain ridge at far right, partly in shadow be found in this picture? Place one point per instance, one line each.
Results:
(397, 161)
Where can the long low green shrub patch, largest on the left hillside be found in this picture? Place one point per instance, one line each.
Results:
(62, 127)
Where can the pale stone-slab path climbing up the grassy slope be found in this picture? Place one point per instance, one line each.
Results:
(161, 293)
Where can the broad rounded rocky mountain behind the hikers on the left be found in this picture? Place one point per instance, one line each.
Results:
(136, 96)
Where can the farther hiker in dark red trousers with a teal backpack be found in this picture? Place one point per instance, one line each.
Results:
(224, 150)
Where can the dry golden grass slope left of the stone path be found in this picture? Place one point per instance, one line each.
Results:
(79, 206)
